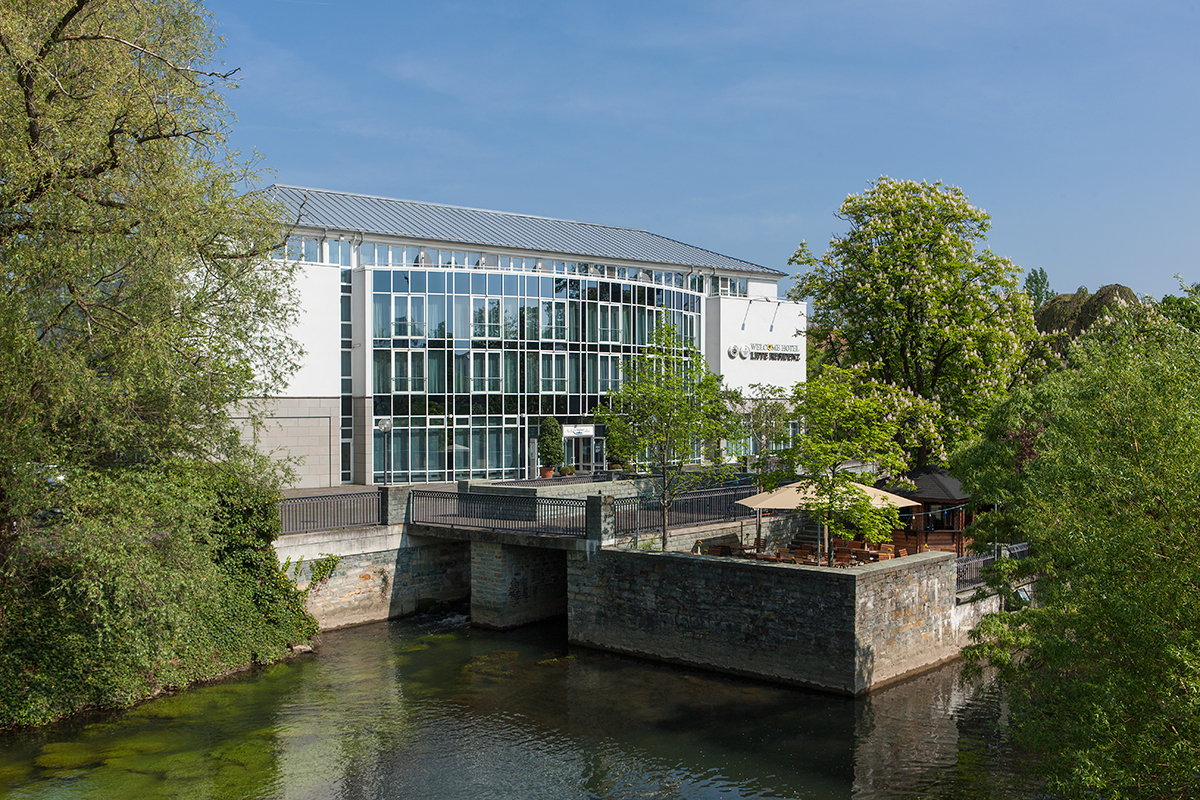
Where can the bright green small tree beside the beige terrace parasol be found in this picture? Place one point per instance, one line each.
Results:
(847, 422)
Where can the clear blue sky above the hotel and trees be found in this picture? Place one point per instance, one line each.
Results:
(742, 127)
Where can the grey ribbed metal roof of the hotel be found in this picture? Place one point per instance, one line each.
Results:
(481, 228)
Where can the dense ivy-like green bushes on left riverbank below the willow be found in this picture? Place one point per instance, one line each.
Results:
(152, 579)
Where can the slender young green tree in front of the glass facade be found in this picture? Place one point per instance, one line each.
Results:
(670, 406)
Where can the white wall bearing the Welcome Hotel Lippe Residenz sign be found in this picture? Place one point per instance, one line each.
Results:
(765, 334)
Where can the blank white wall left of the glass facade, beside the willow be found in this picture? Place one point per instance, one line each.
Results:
(319, 332)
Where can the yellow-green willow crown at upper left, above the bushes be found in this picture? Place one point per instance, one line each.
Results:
(139, 298)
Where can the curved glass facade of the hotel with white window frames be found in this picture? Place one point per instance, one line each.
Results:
(469, 351)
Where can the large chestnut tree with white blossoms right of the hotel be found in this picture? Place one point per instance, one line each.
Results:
(908, 297)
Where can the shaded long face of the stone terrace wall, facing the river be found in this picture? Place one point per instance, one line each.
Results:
(793, 624)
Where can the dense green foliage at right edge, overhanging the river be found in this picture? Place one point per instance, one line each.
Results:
(1097, 467)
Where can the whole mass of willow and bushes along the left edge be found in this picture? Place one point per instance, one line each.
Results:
(137, 304)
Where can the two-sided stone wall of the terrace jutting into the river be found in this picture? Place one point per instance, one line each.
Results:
(838, 630)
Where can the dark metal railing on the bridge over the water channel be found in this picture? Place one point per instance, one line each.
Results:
(531, 515)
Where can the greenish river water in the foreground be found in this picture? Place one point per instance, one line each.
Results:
(431, 708)
